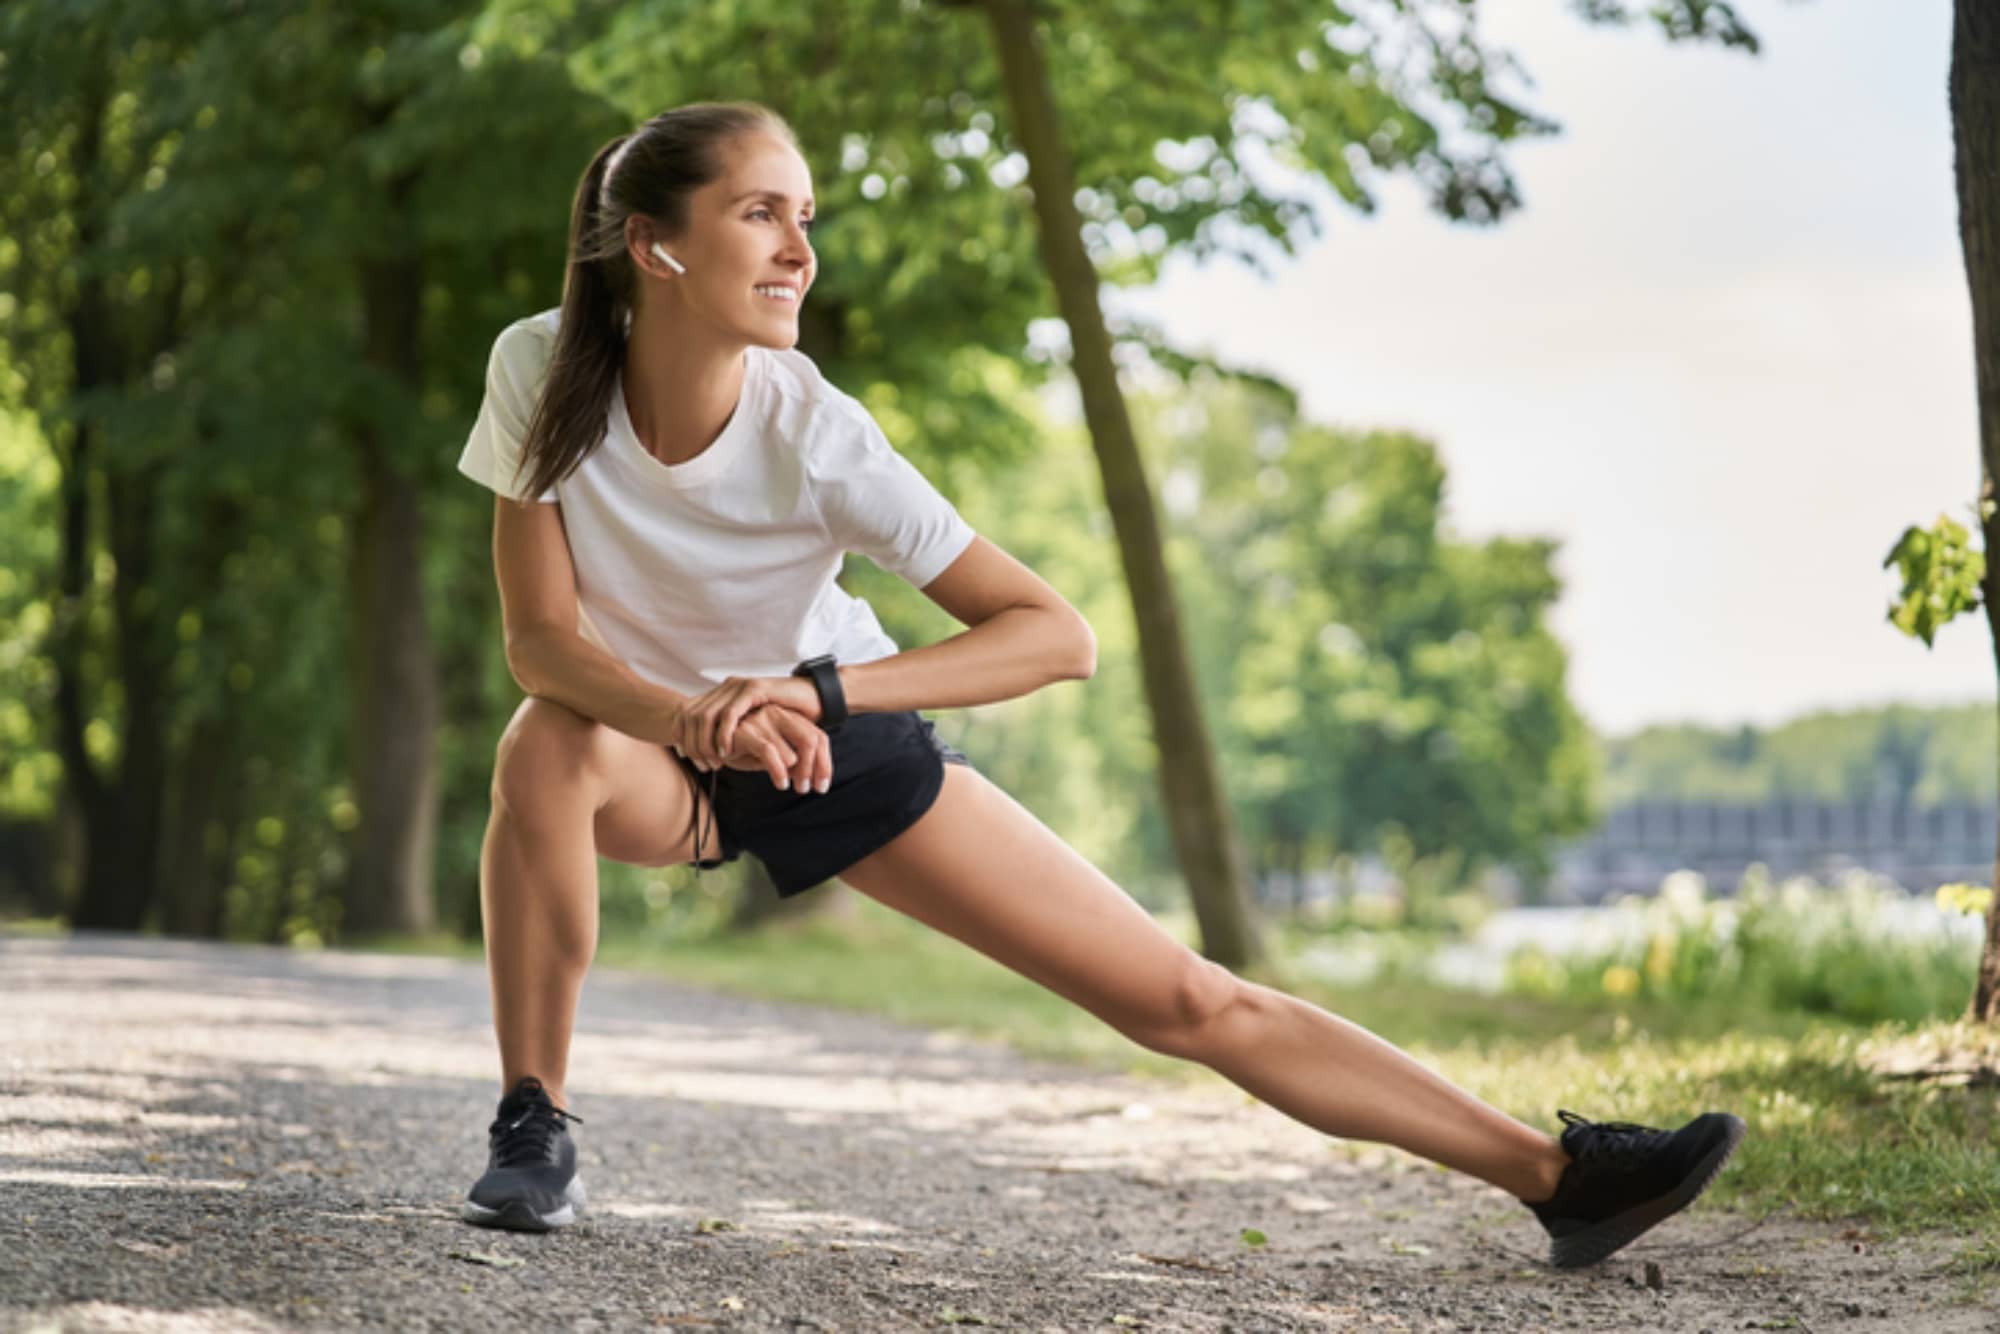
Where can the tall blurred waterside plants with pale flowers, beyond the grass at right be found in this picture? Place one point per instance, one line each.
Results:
(1795, 947)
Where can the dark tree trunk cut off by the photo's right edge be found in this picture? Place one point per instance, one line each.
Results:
(1977, 135)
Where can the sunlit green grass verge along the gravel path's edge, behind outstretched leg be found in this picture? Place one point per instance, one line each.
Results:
(1829, 1139)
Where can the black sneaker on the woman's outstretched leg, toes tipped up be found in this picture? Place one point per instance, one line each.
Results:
(1625, 1179)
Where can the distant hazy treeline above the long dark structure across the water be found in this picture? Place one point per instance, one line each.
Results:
(1895, 753)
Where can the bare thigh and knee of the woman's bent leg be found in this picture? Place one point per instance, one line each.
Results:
(641, 801)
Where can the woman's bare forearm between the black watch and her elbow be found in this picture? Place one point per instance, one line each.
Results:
(1005, 657)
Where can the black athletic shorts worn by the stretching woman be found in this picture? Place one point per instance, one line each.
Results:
(887, 773)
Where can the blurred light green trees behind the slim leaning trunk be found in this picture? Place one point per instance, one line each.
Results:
(1375, 685)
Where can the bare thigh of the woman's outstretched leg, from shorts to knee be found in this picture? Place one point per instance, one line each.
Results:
(983, 869)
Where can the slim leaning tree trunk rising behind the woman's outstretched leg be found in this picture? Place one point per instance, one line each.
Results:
(1197, 813)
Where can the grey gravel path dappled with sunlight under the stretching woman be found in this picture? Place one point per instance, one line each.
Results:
(205, 1137)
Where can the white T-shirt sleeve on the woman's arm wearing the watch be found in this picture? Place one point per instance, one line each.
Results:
(875, 501)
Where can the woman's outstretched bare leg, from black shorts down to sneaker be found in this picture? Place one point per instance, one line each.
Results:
(983, 869)
